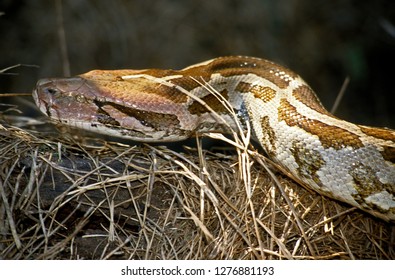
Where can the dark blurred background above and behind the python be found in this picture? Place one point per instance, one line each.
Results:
(323, 41)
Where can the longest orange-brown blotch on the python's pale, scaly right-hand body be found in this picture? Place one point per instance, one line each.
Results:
(330, 136)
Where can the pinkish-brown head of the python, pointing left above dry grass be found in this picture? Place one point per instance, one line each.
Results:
(106, 104)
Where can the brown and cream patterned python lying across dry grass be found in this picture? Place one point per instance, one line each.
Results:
(344, 161)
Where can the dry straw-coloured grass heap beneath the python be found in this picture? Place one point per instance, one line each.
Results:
(63, 198)
